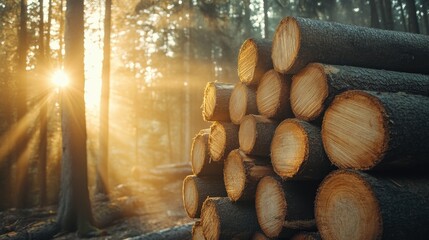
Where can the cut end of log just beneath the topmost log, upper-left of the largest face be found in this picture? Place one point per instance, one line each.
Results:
(309, 89)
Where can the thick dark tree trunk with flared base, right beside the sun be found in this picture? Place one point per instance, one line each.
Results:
(74, 210)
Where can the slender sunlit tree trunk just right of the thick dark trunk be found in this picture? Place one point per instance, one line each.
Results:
(102, 177)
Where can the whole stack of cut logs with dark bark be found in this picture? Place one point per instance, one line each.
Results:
(324, 137)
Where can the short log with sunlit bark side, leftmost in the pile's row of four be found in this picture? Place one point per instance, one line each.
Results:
(216, 101)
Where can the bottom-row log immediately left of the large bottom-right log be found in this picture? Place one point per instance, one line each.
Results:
(284, 208)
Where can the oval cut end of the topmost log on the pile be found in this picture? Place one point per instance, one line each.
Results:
(286, 44)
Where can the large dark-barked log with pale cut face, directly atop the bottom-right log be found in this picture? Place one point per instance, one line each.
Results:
(364, 130)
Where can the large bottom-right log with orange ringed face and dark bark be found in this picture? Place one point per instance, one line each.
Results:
(356, 205)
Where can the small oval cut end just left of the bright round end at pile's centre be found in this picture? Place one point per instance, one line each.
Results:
(246, 134)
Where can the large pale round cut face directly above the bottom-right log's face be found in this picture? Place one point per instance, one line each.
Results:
(350, 113)
